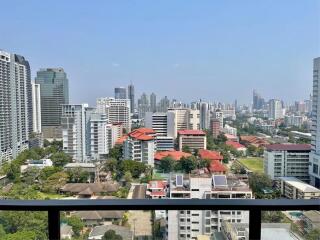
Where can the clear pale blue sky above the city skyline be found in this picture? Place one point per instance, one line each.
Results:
(213, 50)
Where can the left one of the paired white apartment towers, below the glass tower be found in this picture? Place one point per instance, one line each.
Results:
(73, 121)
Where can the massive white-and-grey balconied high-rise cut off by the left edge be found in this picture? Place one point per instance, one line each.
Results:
(15, 105)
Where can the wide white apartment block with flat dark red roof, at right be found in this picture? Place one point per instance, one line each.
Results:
(287, 160)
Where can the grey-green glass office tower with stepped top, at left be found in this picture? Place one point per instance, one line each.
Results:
(54, 92)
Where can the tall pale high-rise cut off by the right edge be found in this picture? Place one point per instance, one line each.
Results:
(314, 170)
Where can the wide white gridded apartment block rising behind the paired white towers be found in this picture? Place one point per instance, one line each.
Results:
(117, 110)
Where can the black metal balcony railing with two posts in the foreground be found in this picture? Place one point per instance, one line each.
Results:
(54, 207)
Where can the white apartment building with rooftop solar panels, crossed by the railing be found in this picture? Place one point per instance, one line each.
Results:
(189, 224)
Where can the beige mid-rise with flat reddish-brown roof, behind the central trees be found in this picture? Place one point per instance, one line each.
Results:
(194, 139)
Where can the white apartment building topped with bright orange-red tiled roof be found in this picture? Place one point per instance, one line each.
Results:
(140, 146)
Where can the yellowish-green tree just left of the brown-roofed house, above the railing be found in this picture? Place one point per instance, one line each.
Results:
(55, 182)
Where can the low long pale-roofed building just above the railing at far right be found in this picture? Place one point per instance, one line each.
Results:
(293, 188)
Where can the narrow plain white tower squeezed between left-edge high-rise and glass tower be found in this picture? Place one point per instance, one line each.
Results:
(36, 108)
